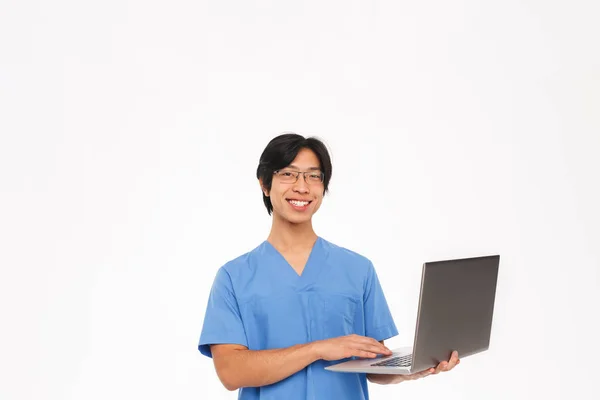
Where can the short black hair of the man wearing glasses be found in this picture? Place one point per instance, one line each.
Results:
(281, 152)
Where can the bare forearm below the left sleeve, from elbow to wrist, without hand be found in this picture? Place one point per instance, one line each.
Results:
(253, 368)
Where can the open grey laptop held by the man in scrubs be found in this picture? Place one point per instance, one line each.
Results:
(456, 305)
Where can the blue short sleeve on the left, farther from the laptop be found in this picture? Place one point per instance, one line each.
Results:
(222, 322)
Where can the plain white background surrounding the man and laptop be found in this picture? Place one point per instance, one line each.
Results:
(130, 134)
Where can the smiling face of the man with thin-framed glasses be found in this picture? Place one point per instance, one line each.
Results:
(297, 201)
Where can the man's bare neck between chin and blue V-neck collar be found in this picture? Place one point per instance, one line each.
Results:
(288, 236)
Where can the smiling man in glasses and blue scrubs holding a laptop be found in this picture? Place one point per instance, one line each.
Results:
(278, 315)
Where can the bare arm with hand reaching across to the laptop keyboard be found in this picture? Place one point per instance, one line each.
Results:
(239, 367)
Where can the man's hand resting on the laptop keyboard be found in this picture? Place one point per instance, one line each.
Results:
(349, 346)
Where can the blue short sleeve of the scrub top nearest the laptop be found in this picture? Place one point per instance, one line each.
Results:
(379, 323)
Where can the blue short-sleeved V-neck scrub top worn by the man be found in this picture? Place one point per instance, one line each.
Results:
(259, 301)
